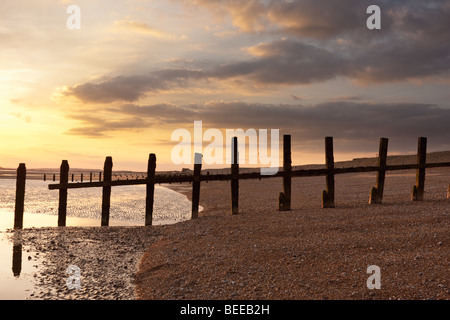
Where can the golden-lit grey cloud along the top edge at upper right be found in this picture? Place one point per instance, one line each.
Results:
(326, 18)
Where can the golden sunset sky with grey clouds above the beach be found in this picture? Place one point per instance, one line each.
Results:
(138, 70)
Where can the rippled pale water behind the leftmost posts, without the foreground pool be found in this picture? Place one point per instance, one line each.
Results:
(84, 205)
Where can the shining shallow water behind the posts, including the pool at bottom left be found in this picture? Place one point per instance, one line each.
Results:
(17, 271)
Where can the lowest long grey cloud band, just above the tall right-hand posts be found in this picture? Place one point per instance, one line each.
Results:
(355, 123)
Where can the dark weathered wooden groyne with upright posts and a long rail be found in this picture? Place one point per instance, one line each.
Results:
(196, 178)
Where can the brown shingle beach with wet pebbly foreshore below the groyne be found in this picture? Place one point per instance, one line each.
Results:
(261, 253)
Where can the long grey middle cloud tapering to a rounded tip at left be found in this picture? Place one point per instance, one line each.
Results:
(286, 62)
